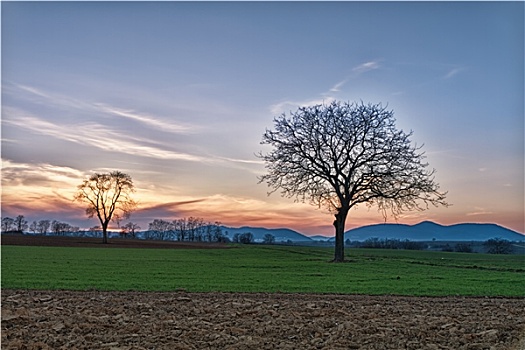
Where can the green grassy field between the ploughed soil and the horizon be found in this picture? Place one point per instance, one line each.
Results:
(264, 269)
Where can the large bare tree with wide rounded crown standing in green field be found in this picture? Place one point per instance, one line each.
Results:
(342, 154)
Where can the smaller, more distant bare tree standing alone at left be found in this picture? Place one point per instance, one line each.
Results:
(108, 196)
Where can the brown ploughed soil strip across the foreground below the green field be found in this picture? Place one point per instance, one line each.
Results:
(35, 319)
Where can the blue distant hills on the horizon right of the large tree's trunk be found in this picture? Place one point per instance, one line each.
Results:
(428, 231)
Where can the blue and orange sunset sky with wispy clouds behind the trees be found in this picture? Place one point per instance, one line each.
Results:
(179, 94)
